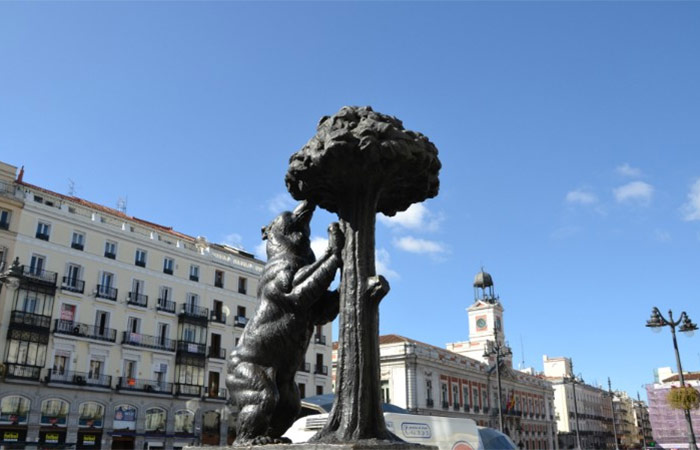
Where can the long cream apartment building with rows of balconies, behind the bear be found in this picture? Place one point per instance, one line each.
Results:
(117, 329)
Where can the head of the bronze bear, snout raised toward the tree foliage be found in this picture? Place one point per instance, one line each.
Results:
(288, 234)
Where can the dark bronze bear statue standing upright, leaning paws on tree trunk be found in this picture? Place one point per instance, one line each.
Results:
(294, 298)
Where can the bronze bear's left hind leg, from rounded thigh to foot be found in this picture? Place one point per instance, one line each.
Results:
(256, 395)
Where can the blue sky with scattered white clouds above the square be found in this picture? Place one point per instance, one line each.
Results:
(568, 134)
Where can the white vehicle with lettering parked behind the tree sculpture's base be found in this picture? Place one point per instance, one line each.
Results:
(446, 433)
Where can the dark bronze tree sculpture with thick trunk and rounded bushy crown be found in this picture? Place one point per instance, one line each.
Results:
(361, 162)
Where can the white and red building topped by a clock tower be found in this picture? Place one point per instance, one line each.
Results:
(430, 380)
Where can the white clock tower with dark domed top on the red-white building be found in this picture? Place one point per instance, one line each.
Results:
(485, 322)
